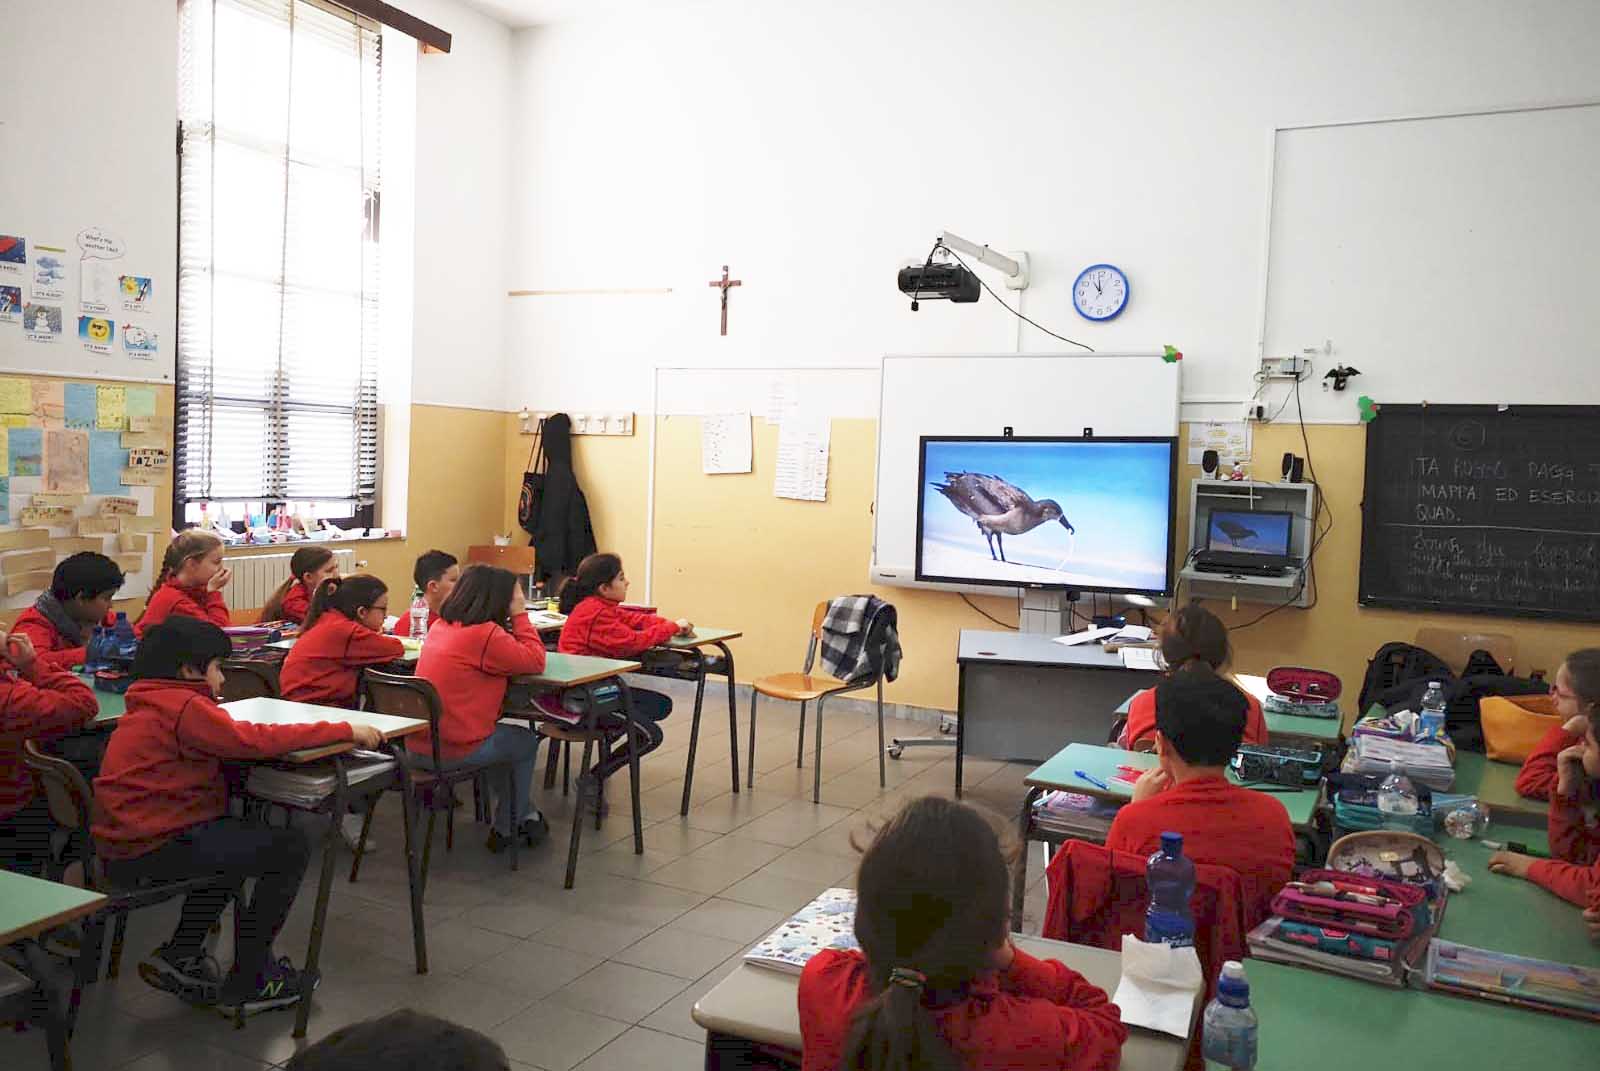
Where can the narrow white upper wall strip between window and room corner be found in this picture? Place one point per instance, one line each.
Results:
(463, 199)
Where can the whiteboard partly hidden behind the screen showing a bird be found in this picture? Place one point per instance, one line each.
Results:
(1036, 395)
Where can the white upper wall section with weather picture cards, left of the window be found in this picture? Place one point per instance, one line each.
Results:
(92, 153)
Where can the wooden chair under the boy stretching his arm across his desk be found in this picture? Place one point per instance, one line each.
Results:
(73, 808)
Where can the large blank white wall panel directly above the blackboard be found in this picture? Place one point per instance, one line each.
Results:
(1449, 260)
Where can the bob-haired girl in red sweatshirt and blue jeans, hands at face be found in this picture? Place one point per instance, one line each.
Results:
(482, 640)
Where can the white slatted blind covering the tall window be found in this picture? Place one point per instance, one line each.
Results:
(278, 254)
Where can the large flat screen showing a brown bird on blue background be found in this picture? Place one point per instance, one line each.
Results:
(1065, 513)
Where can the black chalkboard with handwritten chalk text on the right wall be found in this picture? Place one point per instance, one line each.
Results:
(1484, 510)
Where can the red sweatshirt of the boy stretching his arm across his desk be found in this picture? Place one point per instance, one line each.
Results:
(164, 766)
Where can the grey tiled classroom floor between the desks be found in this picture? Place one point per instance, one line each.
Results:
(598, 979)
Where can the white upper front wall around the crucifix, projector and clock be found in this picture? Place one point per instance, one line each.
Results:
(817, 148)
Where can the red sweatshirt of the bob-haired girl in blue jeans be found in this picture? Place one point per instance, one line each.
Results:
(471, 665)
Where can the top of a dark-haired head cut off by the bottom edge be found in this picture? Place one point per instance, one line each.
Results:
(402, 1041)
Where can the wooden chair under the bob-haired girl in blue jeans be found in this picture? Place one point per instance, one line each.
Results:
(433, 788)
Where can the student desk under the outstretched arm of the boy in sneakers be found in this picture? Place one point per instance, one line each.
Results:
(263, 712)
